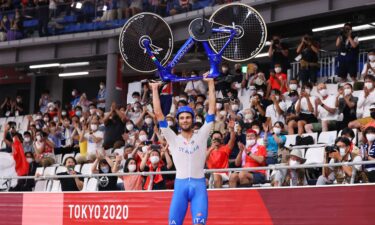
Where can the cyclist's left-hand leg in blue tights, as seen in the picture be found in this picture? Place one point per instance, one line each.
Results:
(179, 203)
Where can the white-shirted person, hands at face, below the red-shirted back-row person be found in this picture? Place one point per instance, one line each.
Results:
(275, 112)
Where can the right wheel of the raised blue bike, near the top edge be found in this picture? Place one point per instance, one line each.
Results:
(251, 32)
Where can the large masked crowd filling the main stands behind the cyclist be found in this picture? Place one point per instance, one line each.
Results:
(256, 112)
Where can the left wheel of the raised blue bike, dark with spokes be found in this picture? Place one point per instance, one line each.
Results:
(145, 26)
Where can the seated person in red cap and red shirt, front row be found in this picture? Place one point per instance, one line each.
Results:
(251, 155)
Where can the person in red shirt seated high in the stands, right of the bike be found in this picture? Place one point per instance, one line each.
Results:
(278, 80)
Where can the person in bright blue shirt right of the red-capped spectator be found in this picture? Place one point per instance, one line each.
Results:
(273, 142)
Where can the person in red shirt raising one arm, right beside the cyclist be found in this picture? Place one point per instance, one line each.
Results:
(217, 156)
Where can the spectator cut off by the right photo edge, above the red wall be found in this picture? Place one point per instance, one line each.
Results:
(368, 152)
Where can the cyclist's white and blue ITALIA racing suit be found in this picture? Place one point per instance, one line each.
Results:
(189, 158)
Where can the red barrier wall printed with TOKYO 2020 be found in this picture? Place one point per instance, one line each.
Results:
(306, 205)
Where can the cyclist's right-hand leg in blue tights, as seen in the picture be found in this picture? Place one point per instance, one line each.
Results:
(199, 201)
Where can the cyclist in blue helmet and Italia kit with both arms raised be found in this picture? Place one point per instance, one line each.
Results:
(189, 155)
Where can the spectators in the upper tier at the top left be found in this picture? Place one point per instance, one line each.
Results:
(50, 17)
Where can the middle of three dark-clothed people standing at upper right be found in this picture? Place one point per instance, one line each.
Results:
(308, 49)
